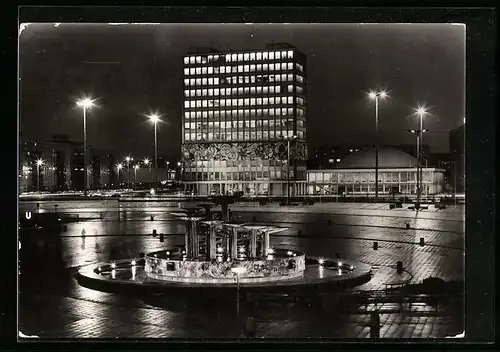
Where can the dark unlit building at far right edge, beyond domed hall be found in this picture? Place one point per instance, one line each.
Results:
(457, 151)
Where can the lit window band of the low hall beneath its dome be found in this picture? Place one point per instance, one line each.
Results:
(391, 177)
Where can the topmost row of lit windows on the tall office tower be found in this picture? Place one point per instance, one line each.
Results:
(265, 55)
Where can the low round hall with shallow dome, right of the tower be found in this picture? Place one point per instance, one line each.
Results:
(355, 175)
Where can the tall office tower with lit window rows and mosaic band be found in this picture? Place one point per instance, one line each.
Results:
(239, 109)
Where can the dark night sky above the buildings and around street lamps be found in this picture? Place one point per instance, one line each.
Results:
(416, 63)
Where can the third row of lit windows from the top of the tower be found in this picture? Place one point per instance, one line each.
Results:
(242, 80)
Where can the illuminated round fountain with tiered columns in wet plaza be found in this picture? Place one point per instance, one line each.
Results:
(218, 253)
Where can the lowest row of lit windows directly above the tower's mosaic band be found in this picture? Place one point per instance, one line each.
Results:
(242, 136)
